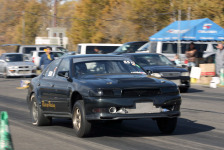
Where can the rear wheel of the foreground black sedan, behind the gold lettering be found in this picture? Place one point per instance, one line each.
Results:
(38, 119)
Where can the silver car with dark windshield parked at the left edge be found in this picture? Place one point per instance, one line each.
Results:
(16, 64)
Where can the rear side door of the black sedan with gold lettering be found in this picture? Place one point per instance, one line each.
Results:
(46, 87)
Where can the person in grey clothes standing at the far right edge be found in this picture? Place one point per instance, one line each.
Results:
(219, 58)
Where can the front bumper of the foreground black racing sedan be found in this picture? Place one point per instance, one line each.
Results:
(98, 108)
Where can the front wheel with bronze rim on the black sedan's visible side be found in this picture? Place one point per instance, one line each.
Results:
(81, 126)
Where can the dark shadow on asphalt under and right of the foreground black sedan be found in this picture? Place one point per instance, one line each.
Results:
(138, 128)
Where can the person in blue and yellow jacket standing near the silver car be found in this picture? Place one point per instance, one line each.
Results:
(46, 58)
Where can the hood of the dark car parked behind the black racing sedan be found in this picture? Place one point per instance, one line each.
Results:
(157, 69)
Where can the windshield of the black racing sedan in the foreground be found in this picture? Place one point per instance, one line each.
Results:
(106, 67)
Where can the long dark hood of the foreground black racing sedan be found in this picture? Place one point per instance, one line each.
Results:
(124, 81)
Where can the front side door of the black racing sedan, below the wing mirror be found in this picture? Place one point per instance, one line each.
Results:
(62, 88)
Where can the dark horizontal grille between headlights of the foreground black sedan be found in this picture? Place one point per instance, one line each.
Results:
(140, 92)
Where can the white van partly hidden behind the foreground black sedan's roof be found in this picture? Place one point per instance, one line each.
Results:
(88, 48)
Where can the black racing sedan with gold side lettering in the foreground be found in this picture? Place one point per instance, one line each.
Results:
(90, 88)
